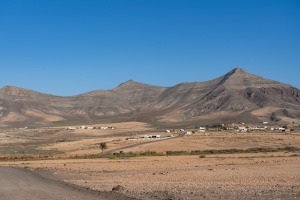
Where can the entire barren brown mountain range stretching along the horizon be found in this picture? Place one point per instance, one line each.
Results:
(235, 97)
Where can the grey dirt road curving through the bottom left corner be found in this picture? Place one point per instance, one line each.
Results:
(22, 184)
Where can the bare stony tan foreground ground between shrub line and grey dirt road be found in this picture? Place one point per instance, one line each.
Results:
(247, 176)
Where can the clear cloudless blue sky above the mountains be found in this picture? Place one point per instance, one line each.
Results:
(68, 47)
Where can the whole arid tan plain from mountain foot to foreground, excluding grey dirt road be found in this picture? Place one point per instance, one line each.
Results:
(73, 157)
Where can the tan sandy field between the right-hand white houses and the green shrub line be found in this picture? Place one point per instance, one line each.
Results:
(223, 140)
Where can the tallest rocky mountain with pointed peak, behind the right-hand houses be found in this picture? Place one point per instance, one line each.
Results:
(233, 94)
